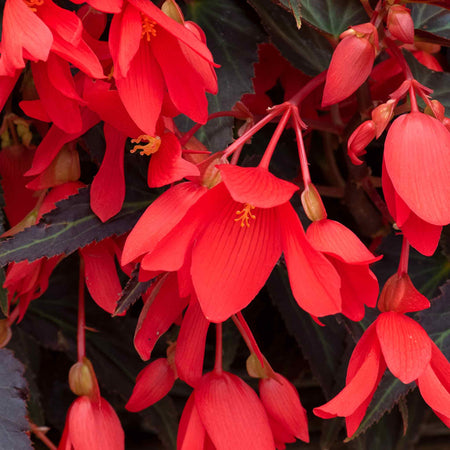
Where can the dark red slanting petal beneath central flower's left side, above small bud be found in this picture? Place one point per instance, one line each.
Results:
(158, 314)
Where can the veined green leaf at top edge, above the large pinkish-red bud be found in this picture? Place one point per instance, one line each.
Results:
(333, 16)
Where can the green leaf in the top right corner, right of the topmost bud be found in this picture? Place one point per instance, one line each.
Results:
(432, 19)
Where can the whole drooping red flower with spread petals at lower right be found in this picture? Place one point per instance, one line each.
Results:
(399, 343)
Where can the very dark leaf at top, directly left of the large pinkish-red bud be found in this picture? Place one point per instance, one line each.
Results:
(306, 49)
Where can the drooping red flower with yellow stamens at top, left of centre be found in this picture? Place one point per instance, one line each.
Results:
(157, 58)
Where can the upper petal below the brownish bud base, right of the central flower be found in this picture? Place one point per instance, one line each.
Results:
(332, 237)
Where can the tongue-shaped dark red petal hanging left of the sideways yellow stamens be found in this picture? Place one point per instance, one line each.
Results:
(108, 186)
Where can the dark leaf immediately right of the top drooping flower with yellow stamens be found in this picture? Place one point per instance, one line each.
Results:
(232, 35)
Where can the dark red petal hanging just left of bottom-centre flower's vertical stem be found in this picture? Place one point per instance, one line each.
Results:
(191, 342)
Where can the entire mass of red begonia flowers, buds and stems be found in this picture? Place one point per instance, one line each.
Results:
(207, 244)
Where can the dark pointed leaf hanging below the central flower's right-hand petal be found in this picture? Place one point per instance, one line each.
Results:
(322, 346)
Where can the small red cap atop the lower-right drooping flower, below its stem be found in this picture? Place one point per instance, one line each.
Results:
(400, 295)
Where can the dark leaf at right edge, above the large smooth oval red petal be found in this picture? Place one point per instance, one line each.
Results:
(438, 81)
